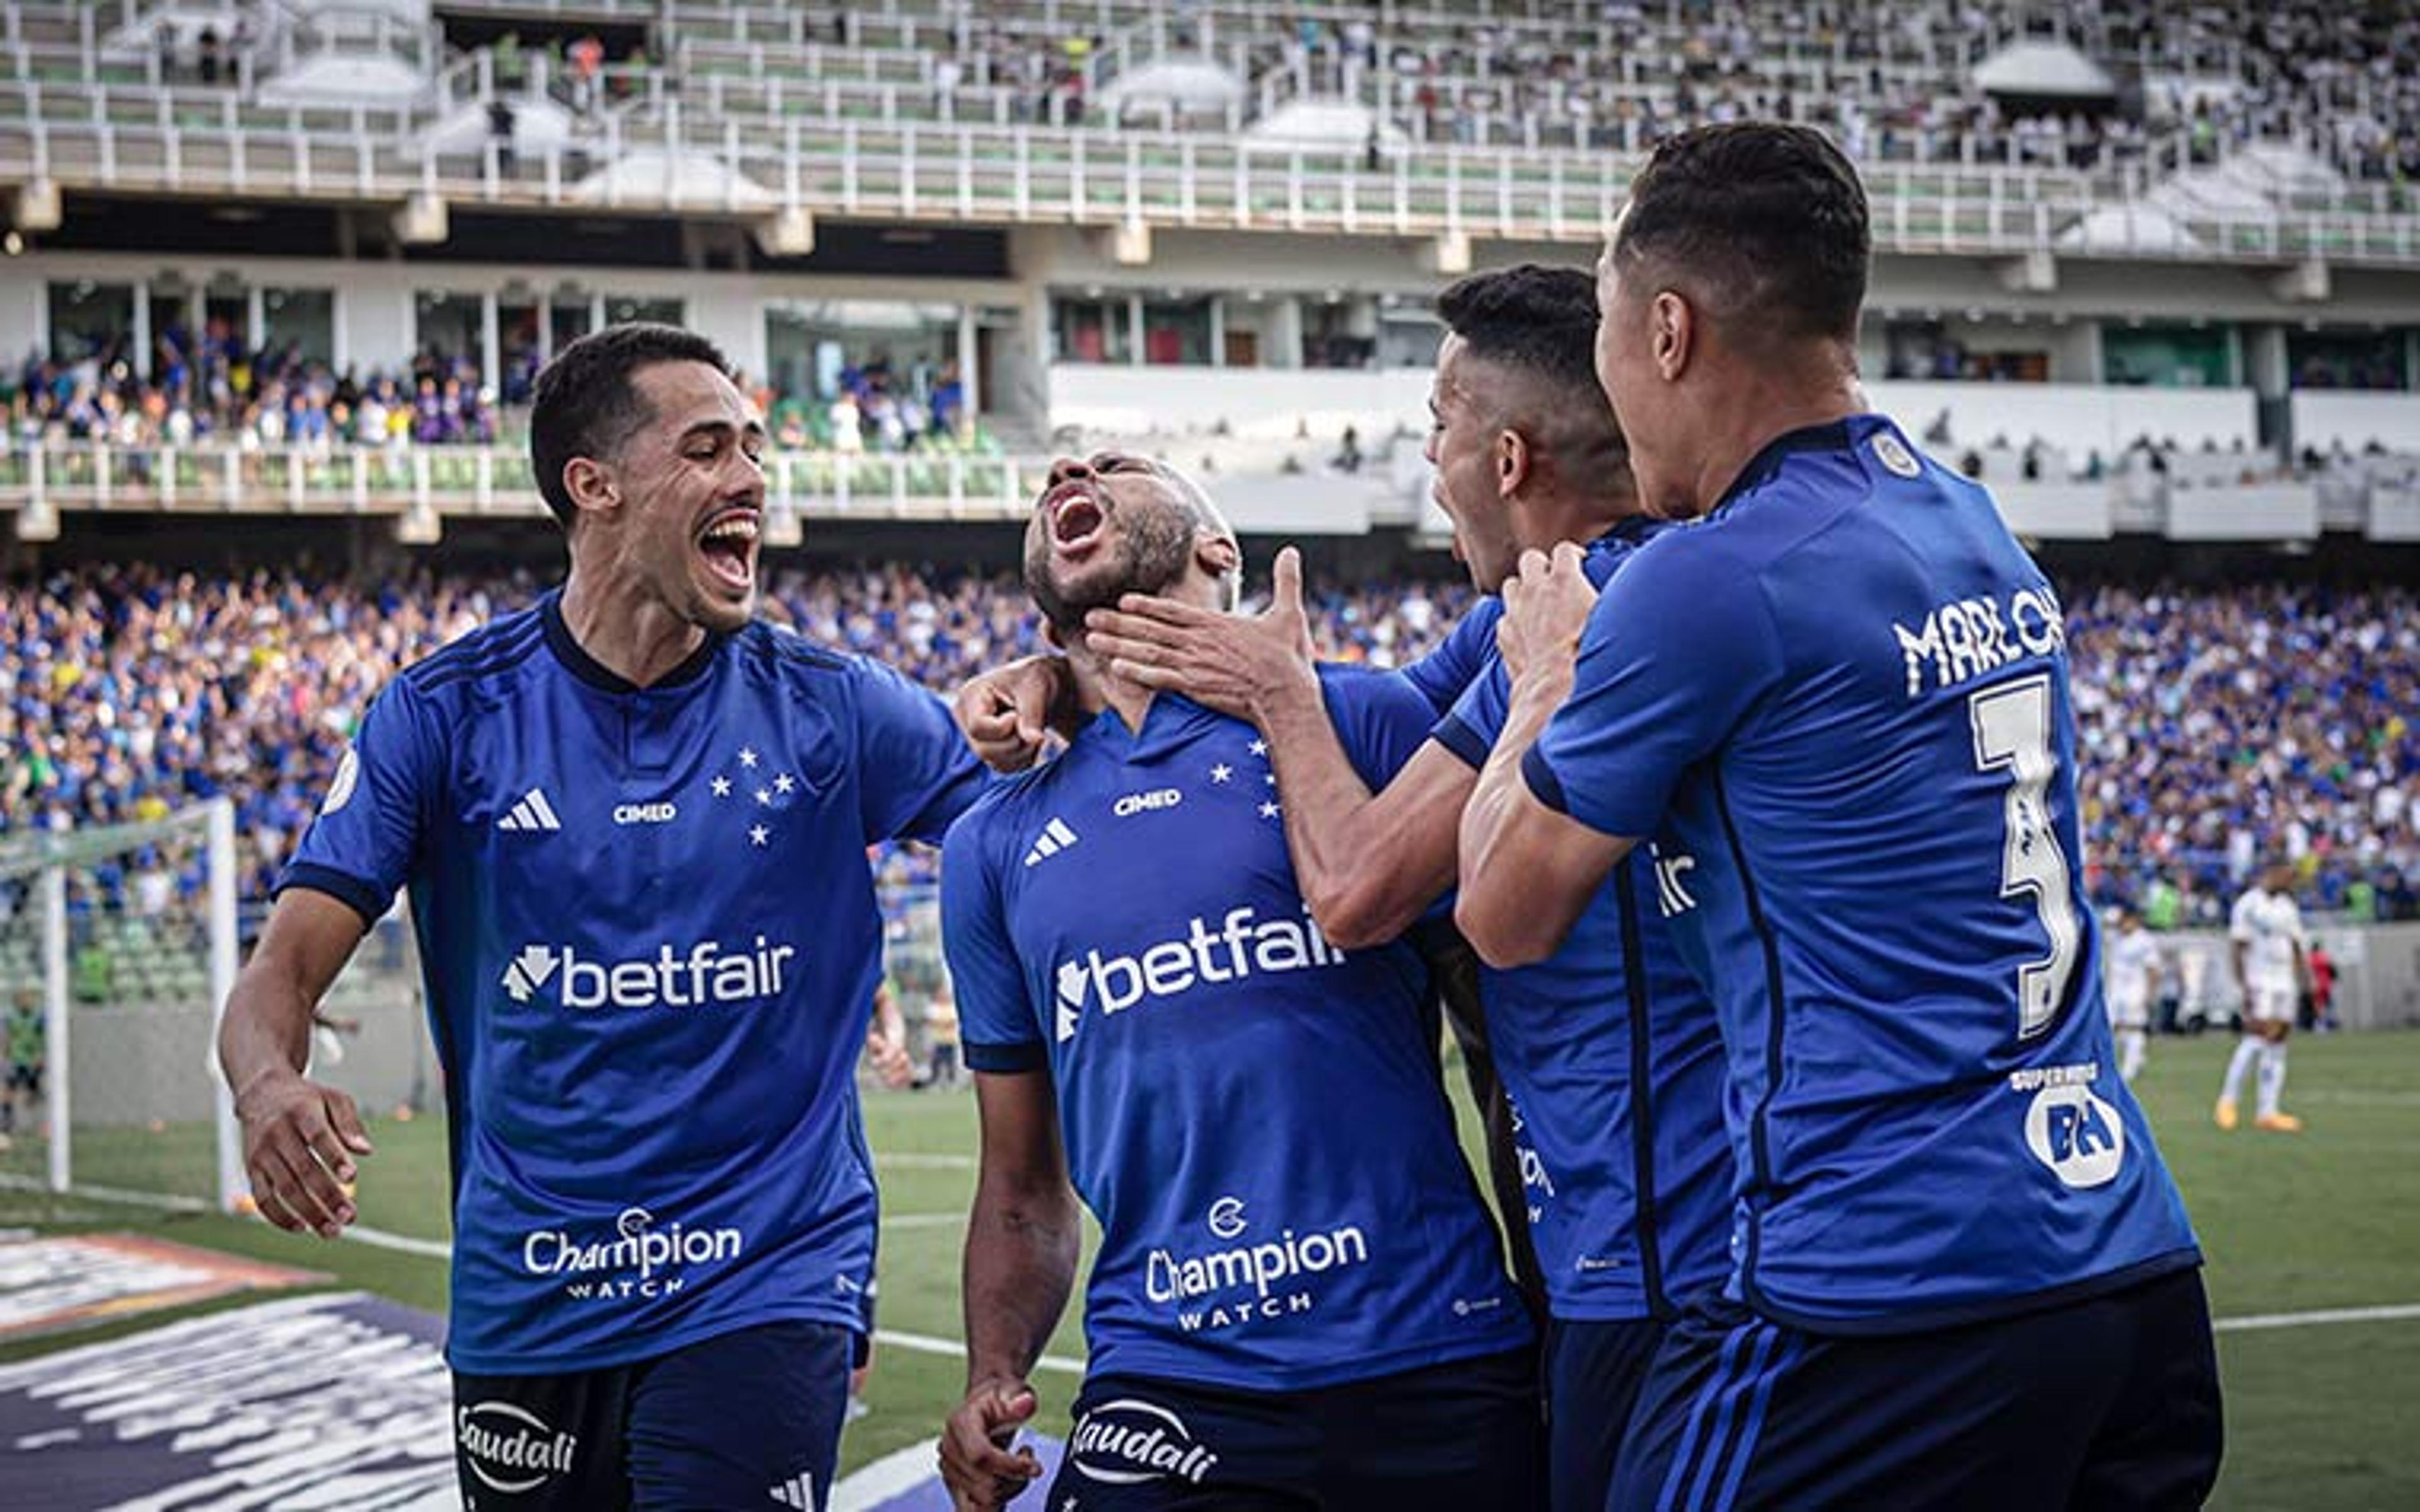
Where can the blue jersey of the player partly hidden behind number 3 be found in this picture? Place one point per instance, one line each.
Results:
(1615, 1068)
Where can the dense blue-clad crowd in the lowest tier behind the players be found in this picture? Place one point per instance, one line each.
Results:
(2218, 727)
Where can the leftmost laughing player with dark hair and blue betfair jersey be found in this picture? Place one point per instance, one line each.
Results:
(635, 829)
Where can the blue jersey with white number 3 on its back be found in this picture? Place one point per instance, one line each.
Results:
(1840, 705)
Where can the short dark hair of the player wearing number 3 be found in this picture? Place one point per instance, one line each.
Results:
(1768, 219)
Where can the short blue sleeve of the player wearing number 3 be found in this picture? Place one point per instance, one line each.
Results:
(1676, 652)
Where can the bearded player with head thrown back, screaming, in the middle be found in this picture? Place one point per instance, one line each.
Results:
(1298, 1295)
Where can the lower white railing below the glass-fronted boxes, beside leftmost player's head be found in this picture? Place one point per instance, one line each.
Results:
(473, 480)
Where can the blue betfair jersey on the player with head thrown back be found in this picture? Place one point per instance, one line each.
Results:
(1255, 1116)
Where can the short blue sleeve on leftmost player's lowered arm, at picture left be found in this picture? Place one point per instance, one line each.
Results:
(359, 848)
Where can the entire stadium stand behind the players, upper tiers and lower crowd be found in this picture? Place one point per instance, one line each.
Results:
(2145, 272)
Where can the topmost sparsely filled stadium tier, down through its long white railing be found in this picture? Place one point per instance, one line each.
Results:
(1514, 122)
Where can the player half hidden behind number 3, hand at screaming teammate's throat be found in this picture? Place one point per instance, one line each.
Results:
(1611, 1049)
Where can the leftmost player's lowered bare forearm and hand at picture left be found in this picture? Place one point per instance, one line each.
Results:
(299, 1136)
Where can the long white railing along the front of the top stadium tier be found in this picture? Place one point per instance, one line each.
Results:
(981, 175)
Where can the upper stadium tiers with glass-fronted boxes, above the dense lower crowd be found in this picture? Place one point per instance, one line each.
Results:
(2126, 250)
